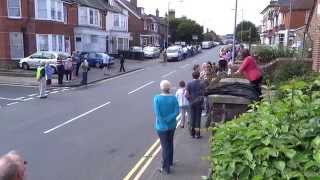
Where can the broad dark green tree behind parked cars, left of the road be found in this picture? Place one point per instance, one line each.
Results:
(182, 29)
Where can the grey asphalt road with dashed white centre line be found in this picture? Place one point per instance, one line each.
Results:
(90, 133)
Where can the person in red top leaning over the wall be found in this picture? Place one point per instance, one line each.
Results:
(251, 71)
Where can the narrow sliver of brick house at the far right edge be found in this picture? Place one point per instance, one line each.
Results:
(314, 32)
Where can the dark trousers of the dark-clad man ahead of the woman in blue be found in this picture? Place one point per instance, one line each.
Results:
(195, 122)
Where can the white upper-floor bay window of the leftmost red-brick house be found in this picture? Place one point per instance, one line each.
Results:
(58, 7)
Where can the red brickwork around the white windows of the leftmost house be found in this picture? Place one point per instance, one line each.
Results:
(29, 27)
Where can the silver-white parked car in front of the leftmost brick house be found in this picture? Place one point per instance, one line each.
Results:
(33, 61)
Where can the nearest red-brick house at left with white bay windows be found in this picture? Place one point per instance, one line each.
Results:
(28, 26)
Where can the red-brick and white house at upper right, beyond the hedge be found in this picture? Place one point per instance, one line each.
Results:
(278, 27)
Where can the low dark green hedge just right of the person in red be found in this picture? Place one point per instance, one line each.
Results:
(266, 54)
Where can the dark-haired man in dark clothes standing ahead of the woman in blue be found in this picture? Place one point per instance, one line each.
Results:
(196, 91)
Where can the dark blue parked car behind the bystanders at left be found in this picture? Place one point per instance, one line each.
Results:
(96, 59)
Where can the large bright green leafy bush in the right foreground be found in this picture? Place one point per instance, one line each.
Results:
(280, 139)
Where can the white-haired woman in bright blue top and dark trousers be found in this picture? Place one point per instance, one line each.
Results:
(166, 109)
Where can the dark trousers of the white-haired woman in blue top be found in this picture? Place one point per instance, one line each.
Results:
(166, 140)
